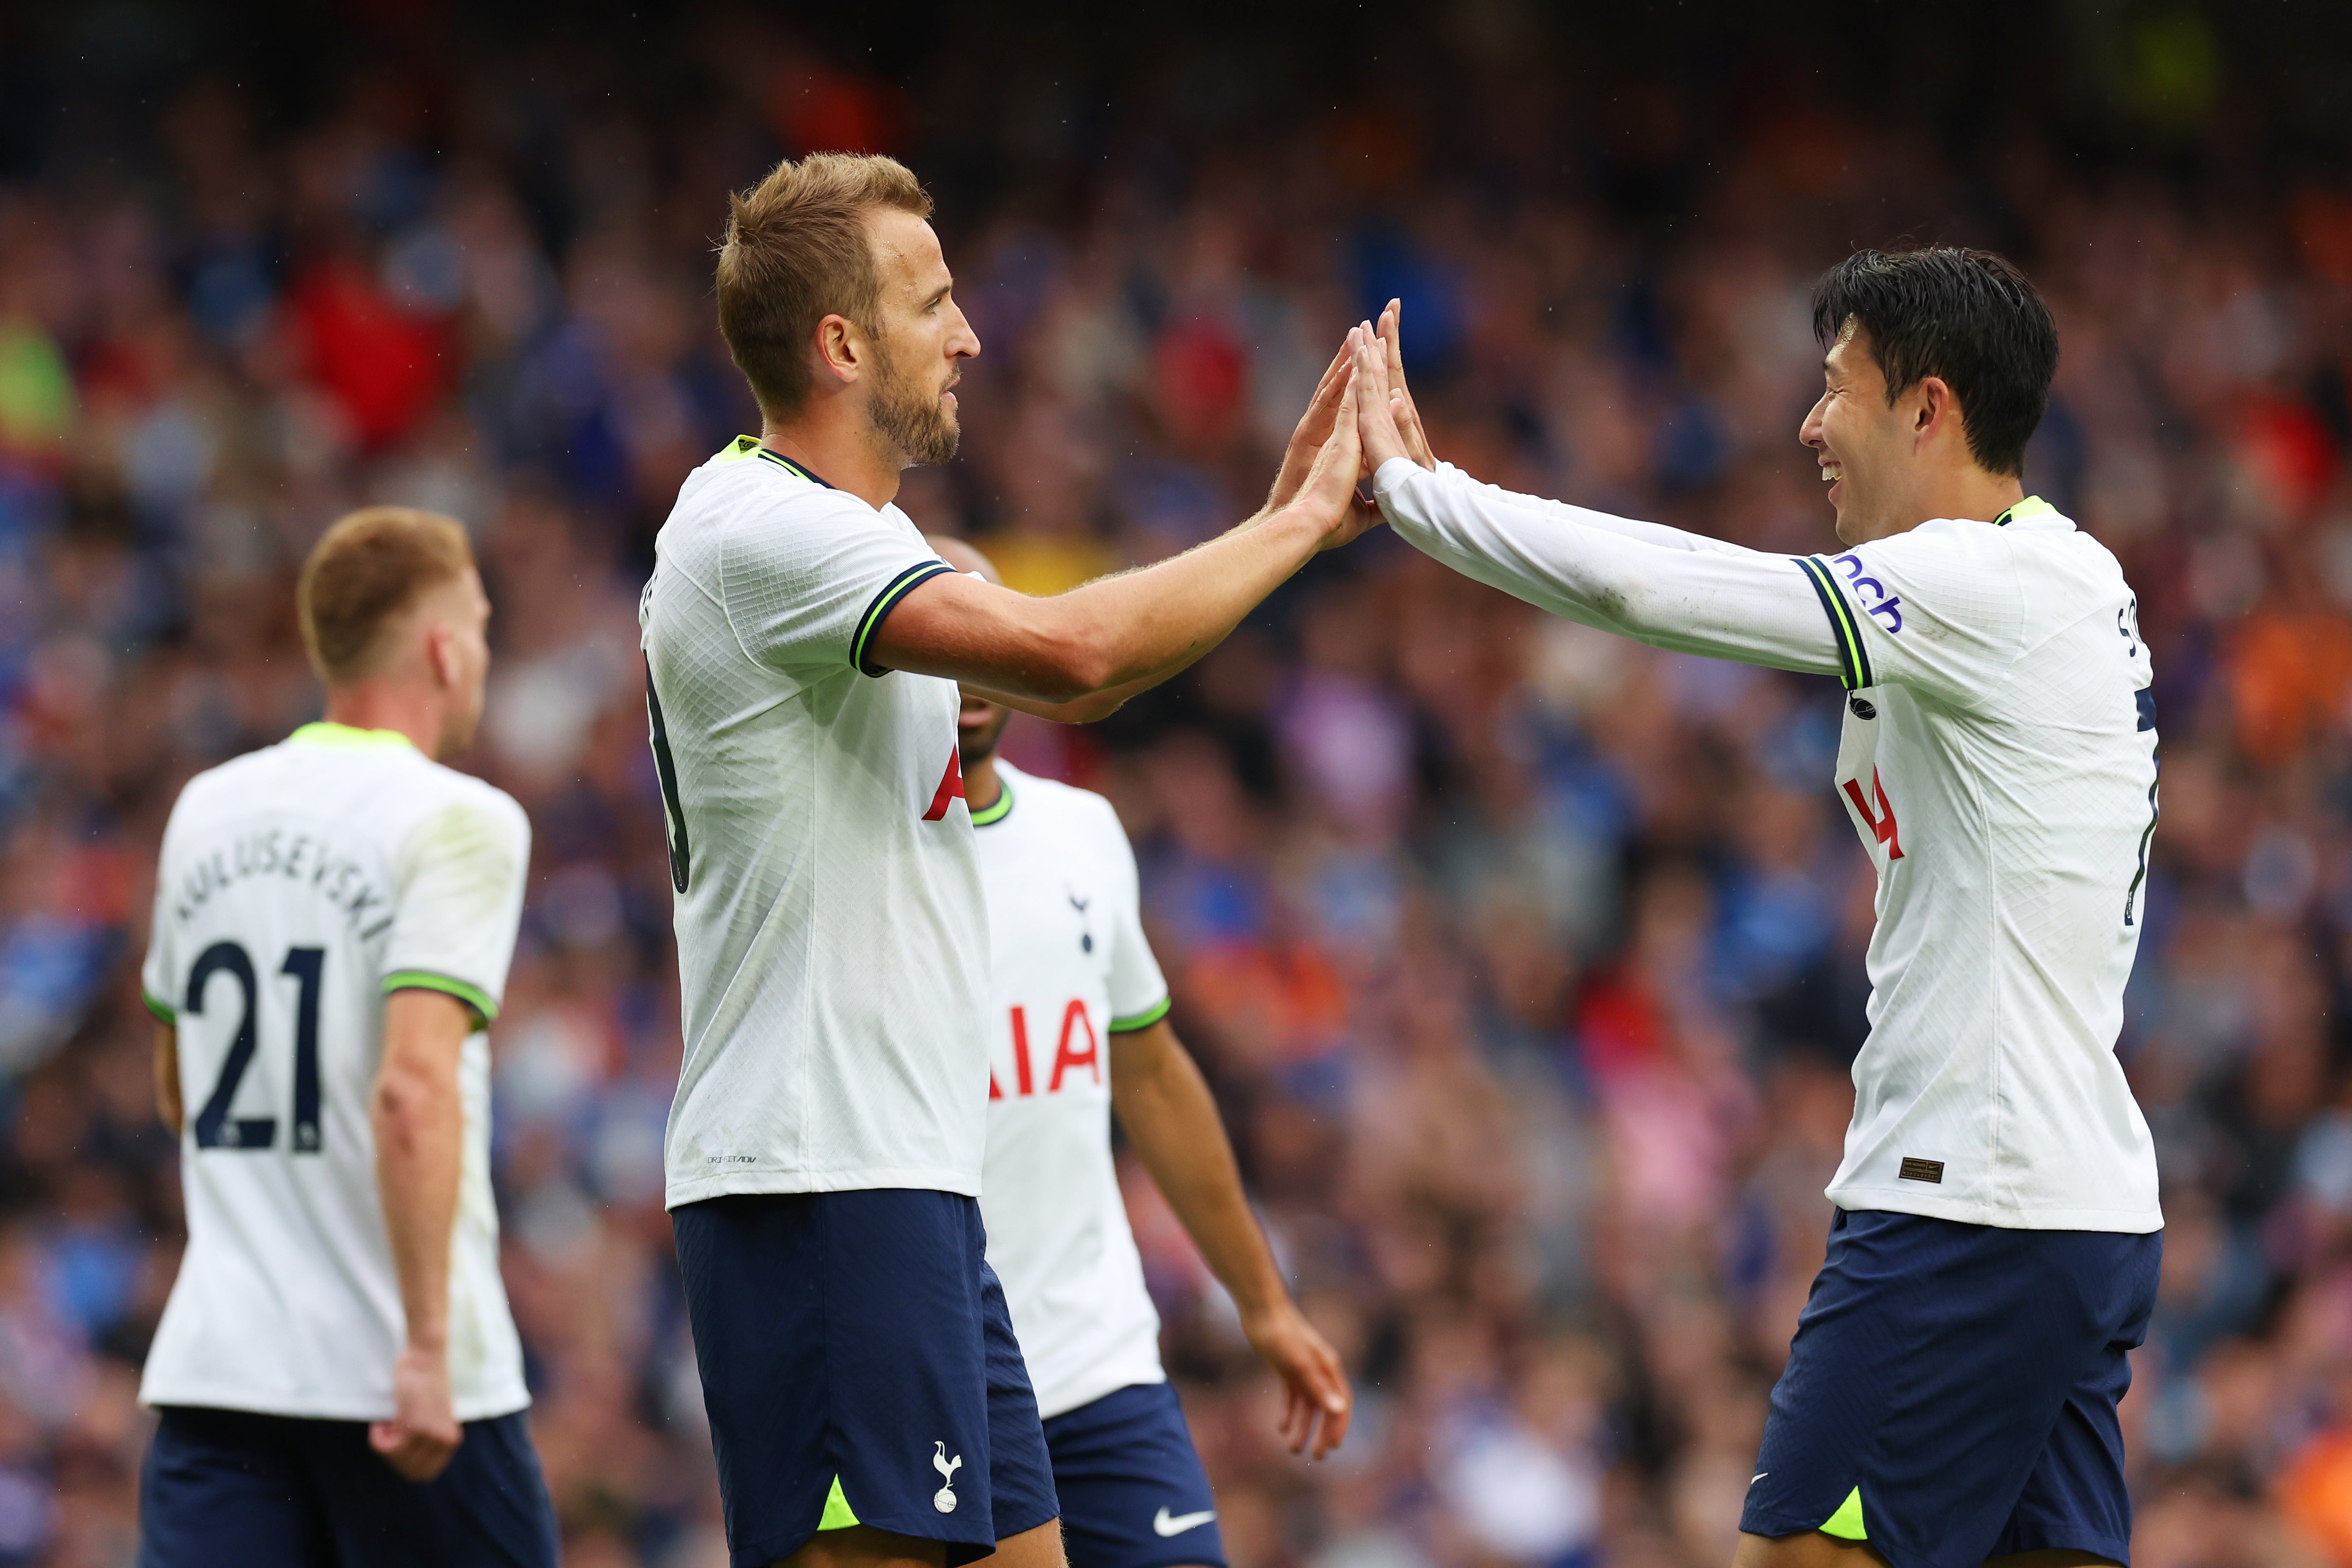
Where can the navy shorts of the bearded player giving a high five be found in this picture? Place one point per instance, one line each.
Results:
(860, 1367)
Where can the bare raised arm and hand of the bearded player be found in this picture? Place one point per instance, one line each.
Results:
(1078, 655)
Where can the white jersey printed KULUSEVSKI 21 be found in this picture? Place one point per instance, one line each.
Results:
(298, 887)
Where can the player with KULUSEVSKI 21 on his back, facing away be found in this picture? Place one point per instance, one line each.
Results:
(338, 1374)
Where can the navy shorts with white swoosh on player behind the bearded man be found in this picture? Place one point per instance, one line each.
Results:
(1132, 1489)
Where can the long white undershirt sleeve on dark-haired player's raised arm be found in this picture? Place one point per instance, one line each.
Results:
(1730, 605)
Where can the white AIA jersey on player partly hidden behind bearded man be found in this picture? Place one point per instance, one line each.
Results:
(1071, 970)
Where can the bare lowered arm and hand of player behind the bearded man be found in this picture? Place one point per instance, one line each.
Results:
(1172, 1120)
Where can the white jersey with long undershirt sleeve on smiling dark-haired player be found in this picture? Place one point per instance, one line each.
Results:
(1998, 763)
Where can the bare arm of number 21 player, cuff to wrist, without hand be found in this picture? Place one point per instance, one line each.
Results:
(420, 1123)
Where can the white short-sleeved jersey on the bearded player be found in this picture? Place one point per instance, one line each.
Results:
(831, 934)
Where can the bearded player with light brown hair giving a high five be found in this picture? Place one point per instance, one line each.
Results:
(803, 657)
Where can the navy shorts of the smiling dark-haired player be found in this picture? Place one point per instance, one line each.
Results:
(1951, 1393)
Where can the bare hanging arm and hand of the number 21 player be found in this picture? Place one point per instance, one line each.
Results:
(420, 1127)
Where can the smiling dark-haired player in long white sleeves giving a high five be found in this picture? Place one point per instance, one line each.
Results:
(1953, 1388)
